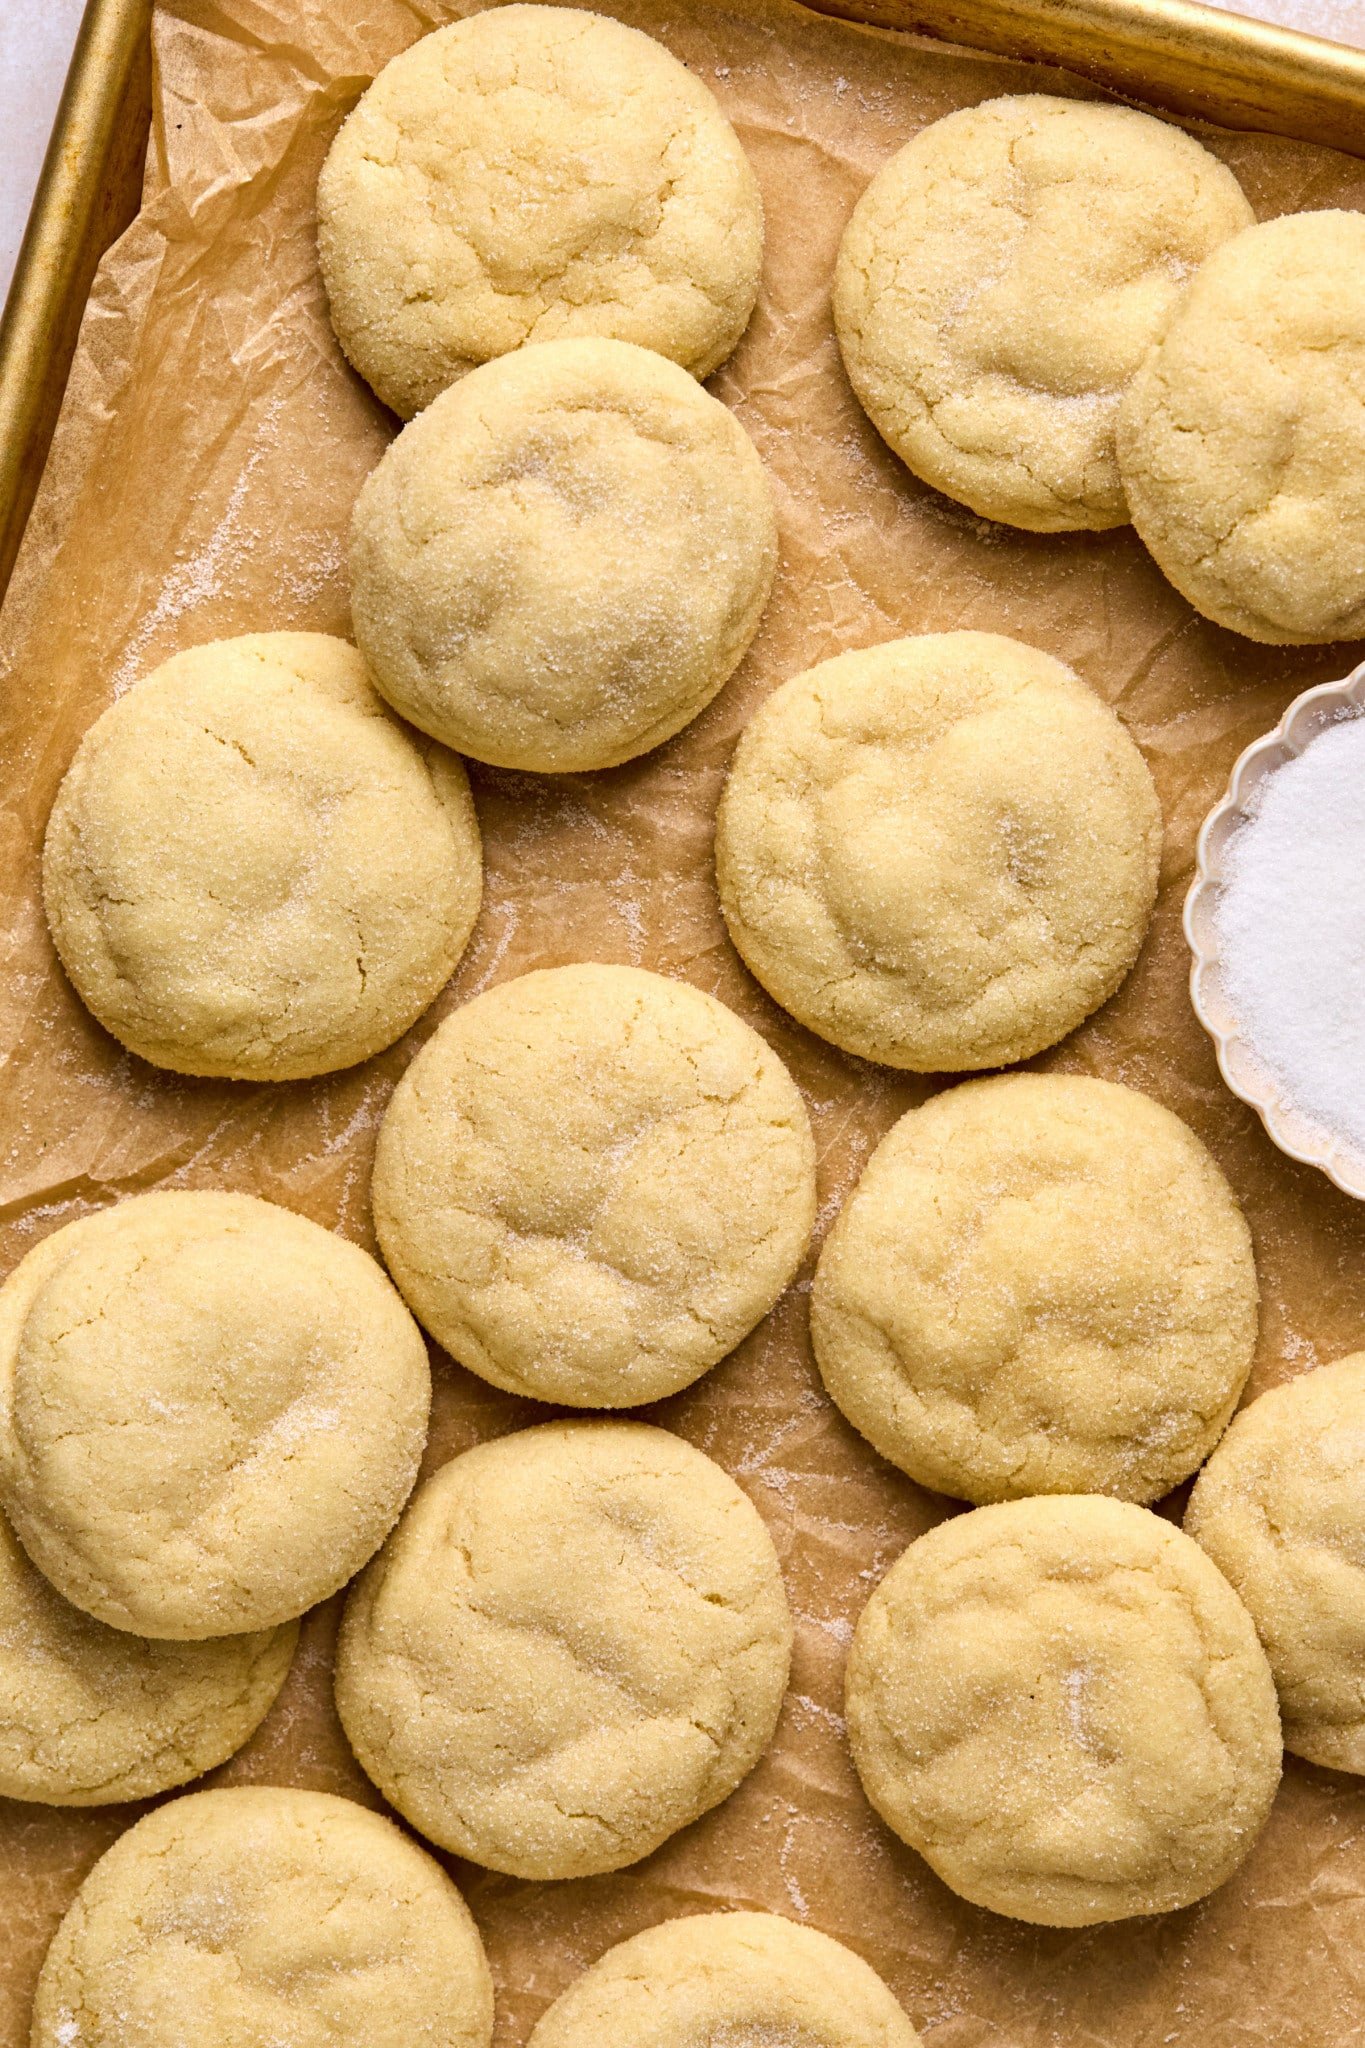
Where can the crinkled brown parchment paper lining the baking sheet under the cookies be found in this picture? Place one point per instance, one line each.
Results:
(202, 482)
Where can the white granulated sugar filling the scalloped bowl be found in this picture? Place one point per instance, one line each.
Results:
(1292, 929)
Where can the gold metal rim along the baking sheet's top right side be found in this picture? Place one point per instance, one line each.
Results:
(1178, 54)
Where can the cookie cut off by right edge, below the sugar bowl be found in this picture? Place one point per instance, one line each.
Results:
(1282, 1512)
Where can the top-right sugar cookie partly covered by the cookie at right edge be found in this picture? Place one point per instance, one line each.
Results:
(1000, 284)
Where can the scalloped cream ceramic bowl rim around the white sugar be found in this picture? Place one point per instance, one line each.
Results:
(1298, 1136)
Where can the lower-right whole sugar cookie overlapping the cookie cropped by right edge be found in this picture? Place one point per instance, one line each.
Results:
(1065, 1709)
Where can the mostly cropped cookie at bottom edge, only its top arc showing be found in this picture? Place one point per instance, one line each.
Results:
(728, 1979)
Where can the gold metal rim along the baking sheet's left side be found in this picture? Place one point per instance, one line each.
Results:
(87, 198)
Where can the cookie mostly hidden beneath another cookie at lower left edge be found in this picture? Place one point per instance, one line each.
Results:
(91, 1715)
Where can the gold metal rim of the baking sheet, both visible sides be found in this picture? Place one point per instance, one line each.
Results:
(1176, 54)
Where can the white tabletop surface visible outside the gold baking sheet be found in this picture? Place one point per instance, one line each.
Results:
(36, 44)
